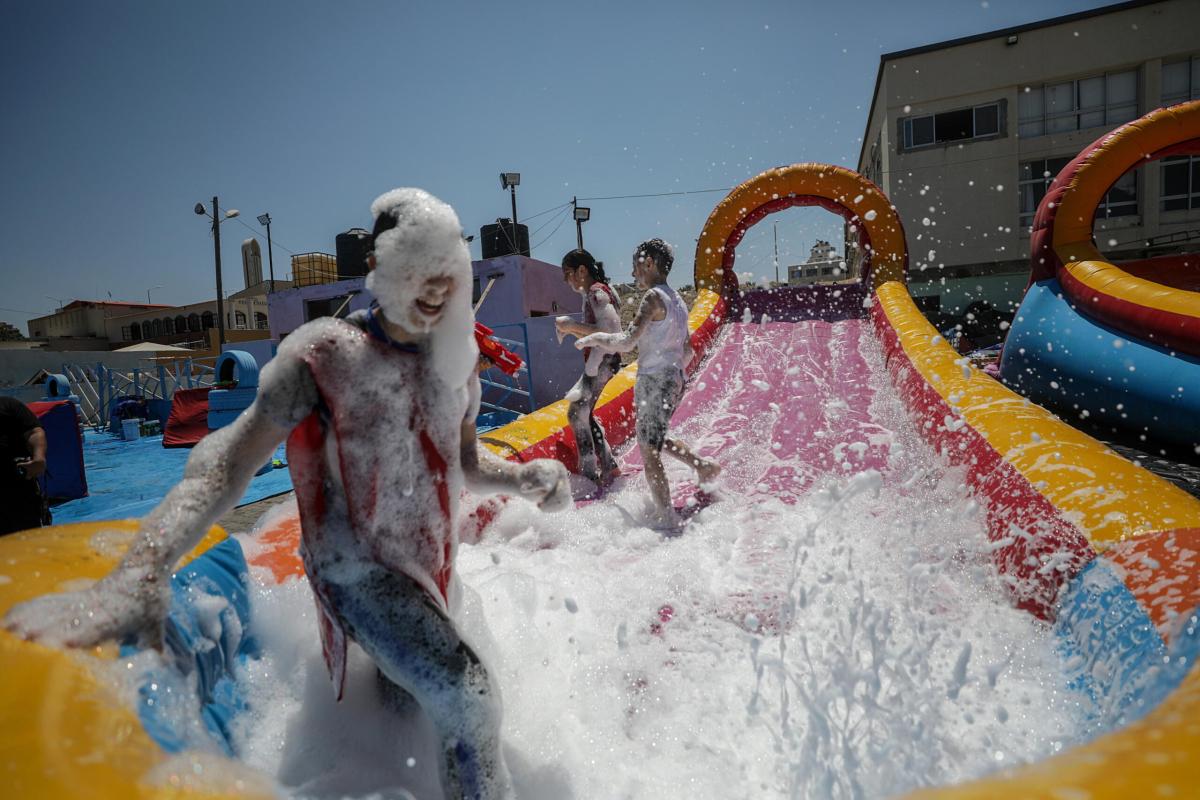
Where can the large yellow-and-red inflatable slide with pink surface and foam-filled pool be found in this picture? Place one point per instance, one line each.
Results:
(1100, 550)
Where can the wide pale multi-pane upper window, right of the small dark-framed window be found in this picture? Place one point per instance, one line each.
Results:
(1093, 103)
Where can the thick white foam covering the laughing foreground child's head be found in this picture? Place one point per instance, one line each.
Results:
(427, 243)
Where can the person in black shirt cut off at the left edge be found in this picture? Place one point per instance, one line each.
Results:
(22, 464)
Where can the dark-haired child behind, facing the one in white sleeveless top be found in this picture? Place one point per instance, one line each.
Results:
(601, 316)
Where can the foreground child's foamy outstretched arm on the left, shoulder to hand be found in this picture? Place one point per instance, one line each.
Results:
(133, 600)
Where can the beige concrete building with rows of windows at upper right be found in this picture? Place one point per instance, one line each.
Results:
(965, 137)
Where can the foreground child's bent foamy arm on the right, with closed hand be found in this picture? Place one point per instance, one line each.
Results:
(543, 482)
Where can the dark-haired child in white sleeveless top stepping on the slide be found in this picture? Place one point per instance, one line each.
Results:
(659, 332)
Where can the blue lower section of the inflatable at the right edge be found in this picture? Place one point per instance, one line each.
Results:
(1066, 362)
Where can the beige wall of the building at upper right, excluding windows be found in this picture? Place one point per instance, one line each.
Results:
(973, 187)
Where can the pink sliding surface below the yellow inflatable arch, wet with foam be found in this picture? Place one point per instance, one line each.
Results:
(779, 405)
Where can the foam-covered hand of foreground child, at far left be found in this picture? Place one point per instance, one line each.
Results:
(117, 607)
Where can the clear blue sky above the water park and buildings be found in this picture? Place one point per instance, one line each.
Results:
(121, 117)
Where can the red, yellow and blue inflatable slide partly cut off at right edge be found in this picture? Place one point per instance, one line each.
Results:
(1114, 345)
